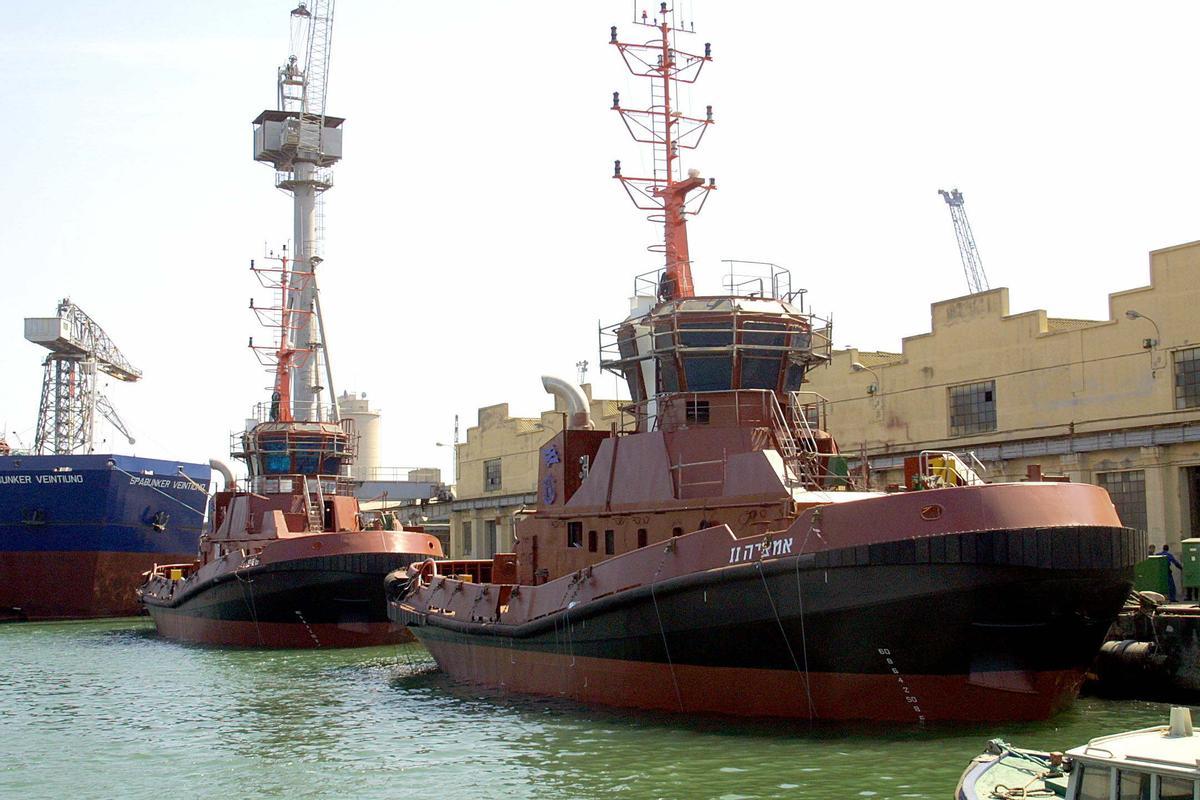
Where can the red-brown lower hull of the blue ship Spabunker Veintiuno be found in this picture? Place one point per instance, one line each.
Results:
(49, 586)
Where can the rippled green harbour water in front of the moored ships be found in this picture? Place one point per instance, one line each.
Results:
(110, 711)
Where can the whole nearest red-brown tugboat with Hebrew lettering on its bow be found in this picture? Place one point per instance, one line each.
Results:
(715, 557)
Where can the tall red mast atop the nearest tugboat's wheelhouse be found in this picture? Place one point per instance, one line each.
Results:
(667, 131)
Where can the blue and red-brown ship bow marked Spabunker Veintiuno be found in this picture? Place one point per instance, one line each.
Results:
(79, 532)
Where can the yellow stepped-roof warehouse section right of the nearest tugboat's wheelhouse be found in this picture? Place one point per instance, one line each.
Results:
(1114, 402)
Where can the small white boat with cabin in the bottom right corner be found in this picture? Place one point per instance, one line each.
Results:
(1160, 763)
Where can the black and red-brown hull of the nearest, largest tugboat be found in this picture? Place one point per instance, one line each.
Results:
(819, 622)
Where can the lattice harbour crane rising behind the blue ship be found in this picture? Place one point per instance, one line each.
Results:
(80, 348)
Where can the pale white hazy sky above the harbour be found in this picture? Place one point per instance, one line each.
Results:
(476, 237)
